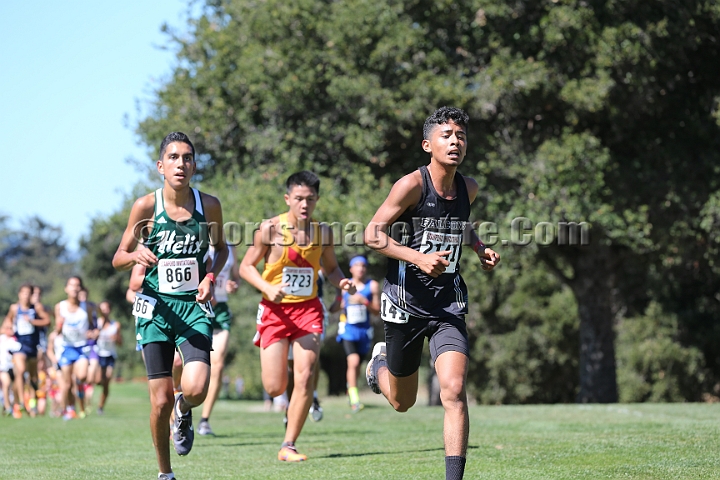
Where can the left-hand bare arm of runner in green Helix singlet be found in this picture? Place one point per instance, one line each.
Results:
(139, 225)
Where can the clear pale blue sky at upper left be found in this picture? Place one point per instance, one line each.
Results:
(70, 74)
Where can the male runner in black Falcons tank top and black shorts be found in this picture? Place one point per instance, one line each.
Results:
(424, 295)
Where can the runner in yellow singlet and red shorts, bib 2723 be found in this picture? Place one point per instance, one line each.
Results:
(294, 249)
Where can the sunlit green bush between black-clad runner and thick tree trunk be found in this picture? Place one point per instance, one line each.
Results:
(525, 337)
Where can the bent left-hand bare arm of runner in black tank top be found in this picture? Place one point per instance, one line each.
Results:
(405, 194)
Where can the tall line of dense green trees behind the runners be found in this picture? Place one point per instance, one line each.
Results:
(581, 111)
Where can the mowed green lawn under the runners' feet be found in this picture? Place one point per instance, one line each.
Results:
(668, 441)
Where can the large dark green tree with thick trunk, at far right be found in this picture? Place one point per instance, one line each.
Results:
(607, 119)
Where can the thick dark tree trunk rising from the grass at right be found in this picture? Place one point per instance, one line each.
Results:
(593, 286)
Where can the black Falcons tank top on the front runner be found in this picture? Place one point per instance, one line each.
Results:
(435, 224)
